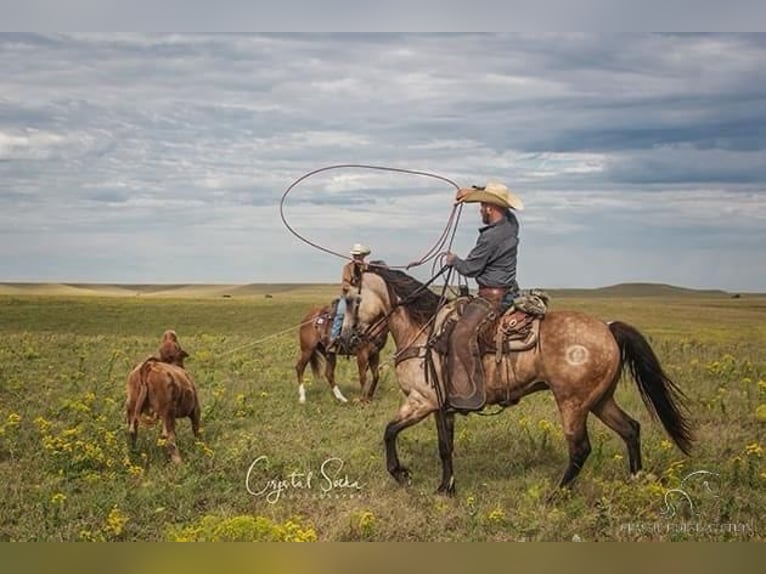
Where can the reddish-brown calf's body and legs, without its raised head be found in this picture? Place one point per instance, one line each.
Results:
(165, 391)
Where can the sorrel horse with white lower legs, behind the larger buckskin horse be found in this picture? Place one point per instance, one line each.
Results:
(314, 336)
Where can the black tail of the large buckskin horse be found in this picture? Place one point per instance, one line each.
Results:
(662, 397)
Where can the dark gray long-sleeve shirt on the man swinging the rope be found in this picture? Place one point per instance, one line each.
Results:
(492, 261)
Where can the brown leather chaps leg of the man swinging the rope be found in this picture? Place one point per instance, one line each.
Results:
(465, 380)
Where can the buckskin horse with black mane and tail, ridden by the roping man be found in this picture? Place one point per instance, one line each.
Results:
(579, 359)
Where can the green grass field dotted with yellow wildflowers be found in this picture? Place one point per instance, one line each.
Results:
(66, 472)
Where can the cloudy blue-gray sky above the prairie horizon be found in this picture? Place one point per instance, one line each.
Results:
(162, 158)
